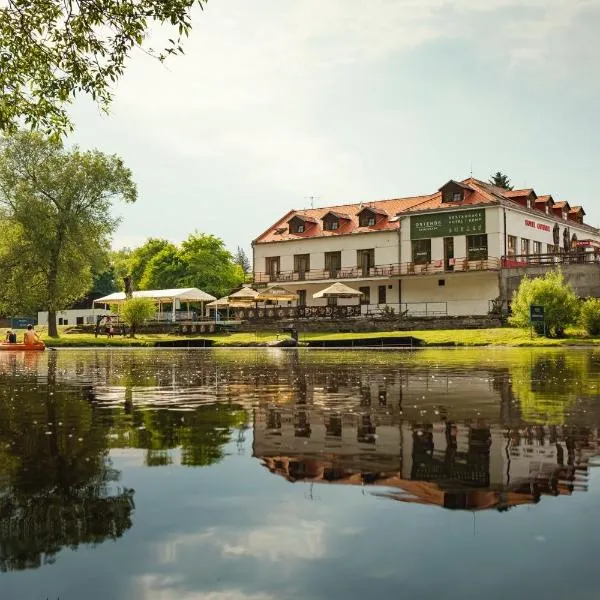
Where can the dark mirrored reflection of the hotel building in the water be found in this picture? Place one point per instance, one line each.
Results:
(454, 464)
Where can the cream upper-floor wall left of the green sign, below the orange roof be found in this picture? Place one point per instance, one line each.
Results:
(385, 244)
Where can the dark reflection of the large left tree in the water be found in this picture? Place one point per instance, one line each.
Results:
(57, 487)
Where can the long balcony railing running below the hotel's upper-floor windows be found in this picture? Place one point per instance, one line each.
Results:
(391, 270)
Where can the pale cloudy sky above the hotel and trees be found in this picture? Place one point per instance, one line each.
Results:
(282, 104)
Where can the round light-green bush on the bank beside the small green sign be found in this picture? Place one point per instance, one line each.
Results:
(561, 306)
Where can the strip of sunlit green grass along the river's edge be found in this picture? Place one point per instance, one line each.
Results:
(509, 337)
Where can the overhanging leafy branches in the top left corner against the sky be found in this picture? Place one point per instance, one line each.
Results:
(53, 50)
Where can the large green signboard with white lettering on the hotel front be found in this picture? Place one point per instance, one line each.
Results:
(464, 222)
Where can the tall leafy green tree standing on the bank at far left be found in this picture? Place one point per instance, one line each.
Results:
(55, 211)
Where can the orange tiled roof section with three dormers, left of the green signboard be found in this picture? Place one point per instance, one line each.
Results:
(351, 226)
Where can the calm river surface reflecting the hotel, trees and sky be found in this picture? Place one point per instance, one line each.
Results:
(267, 474)
